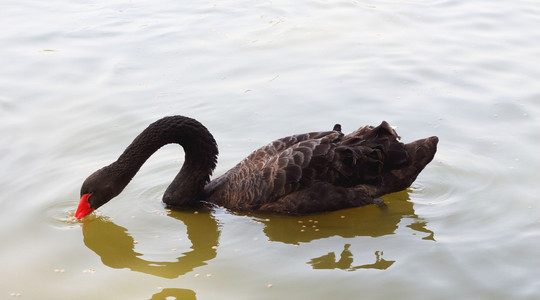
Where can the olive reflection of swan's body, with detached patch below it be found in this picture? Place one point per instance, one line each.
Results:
(366, 221)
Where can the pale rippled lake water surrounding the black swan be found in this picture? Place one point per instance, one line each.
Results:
(80, 79)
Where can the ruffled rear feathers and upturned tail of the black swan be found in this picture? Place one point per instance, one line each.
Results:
(375, 156)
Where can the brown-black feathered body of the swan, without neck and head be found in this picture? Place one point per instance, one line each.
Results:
(321, 171)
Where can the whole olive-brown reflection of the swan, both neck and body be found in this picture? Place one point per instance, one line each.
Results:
(116, 247)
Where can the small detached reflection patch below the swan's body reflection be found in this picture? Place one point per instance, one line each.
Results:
(328, 261)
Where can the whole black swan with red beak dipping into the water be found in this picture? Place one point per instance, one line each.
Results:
(299, 174)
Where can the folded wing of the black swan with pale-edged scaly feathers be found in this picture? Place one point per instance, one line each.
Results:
(362, 157)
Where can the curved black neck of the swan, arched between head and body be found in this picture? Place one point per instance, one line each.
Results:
(200, 150)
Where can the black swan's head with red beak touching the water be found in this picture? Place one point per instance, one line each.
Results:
(98, 189)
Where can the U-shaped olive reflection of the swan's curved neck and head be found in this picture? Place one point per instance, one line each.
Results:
(116, 247)
